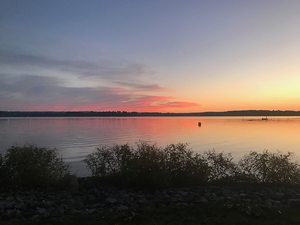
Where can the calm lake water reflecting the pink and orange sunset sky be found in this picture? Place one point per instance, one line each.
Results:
(77, 137)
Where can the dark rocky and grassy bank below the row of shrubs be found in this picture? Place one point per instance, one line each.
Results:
(86, 202)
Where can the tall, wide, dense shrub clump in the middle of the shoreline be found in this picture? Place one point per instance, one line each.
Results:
(148, 165)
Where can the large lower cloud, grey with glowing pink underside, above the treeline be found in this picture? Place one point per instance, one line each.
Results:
(30, 92)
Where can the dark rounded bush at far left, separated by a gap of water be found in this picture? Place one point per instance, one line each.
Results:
(30, 166)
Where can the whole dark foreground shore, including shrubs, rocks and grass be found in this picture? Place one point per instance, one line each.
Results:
(149, 185)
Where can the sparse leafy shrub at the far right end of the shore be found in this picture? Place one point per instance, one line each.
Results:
(266, 167)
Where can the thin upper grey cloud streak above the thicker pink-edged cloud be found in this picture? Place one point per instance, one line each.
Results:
(108, 69)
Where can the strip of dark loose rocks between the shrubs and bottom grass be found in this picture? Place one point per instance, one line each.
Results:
(83, 197)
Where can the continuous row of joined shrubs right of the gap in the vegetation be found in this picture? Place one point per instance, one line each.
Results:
(147, 165)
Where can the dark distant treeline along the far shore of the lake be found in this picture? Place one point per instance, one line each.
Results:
(130, 114)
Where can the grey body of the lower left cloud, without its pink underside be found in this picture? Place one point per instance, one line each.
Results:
(38, 90)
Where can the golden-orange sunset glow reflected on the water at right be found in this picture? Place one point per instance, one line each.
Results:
(241, 135)
